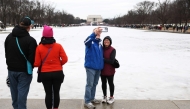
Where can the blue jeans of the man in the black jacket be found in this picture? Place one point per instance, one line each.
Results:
(19, 87)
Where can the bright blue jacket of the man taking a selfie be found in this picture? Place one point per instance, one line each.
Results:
(93, 53)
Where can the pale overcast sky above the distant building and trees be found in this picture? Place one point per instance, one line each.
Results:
(105, 8)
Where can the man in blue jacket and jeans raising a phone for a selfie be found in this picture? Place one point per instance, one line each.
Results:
(93, 64)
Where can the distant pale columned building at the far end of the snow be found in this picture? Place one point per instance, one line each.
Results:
(94, 19)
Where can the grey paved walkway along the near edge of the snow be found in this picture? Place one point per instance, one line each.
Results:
(118, 104)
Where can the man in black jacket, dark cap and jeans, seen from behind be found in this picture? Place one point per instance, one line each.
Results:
(16, 63)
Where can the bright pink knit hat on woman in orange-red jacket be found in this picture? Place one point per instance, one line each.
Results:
(47, 32)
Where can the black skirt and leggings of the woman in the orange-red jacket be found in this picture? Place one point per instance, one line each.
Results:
(52, 80)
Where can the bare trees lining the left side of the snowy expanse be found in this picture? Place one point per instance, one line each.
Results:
(11, 11)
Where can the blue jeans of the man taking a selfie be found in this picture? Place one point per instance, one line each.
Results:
(91, 83)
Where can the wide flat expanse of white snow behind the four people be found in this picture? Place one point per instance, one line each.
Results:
(154, 65)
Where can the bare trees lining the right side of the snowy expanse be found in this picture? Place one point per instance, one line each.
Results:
(147, 12)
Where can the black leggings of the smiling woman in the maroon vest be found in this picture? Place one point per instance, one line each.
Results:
(104, 84)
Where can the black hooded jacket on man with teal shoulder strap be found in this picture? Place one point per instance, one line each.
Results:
(14, 59)
